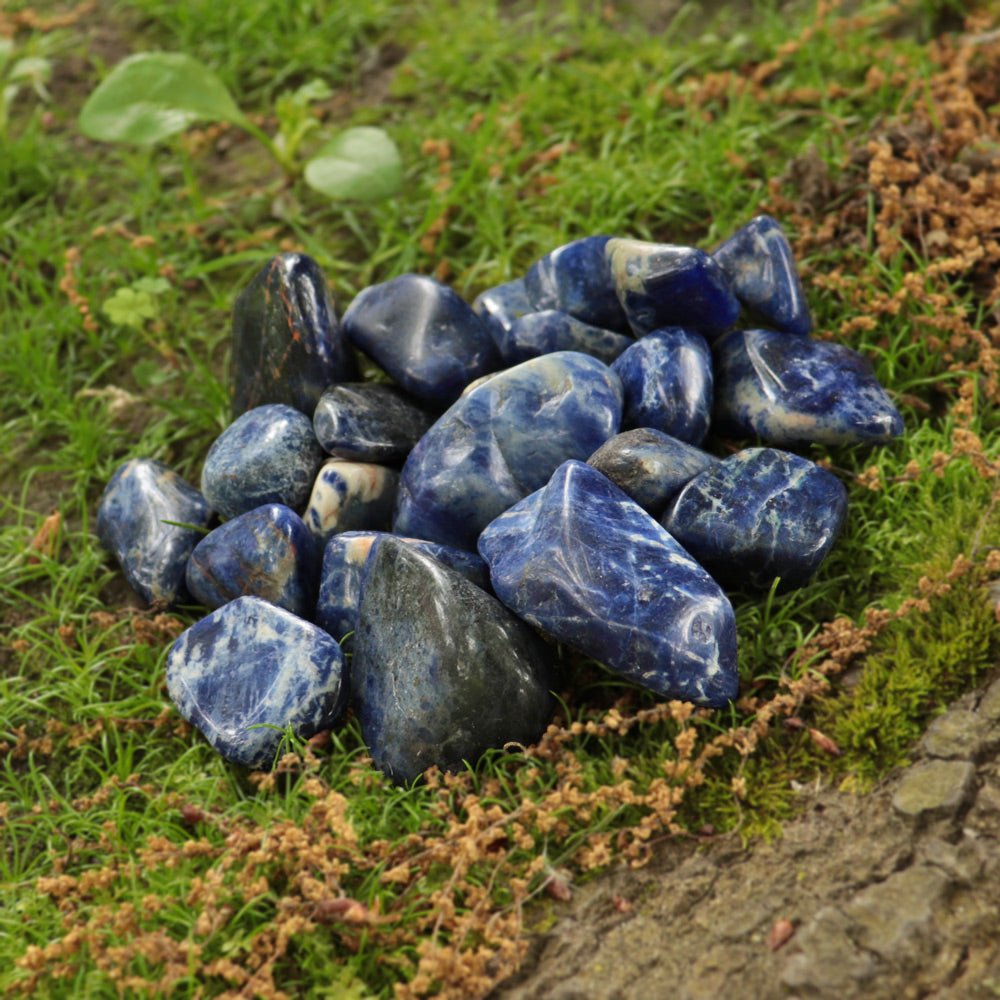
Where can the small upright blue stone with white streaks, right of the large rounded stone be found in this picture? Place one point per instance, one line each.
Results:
(667, 377)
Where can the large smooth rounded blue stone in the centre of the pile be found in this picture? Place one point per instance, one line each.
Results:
(501, 441)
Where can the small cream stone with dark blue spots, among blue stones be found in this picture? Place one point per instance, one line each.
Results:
(351, 496)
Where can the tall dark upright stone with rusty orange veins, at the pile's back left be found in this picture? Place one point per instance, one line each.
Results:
(287, 345)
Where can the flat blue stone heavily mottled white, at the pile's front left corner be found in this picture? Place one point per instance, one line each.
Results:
(250, 666)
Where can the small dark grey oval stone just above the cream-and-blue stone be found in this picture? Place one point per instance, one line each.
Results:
(368, 422)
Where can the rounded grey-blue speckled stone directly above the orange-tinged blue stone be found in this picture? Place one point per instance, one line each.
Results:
(268, 455)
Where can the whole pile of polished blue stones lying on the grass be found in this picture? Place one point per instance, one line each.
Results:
(533, 474)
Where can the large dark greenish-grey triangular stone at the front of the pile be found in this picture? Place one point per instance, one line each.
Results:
(441, 670)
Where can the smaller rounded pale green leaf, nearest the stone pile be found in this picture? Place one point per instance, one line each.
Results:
(360, 163)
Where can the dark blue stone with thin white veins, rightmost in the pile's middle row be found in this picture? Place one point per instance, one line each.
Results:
(760, 514)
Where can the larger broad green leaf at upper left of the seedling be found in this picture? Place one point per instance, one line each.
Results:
(153, 95)
